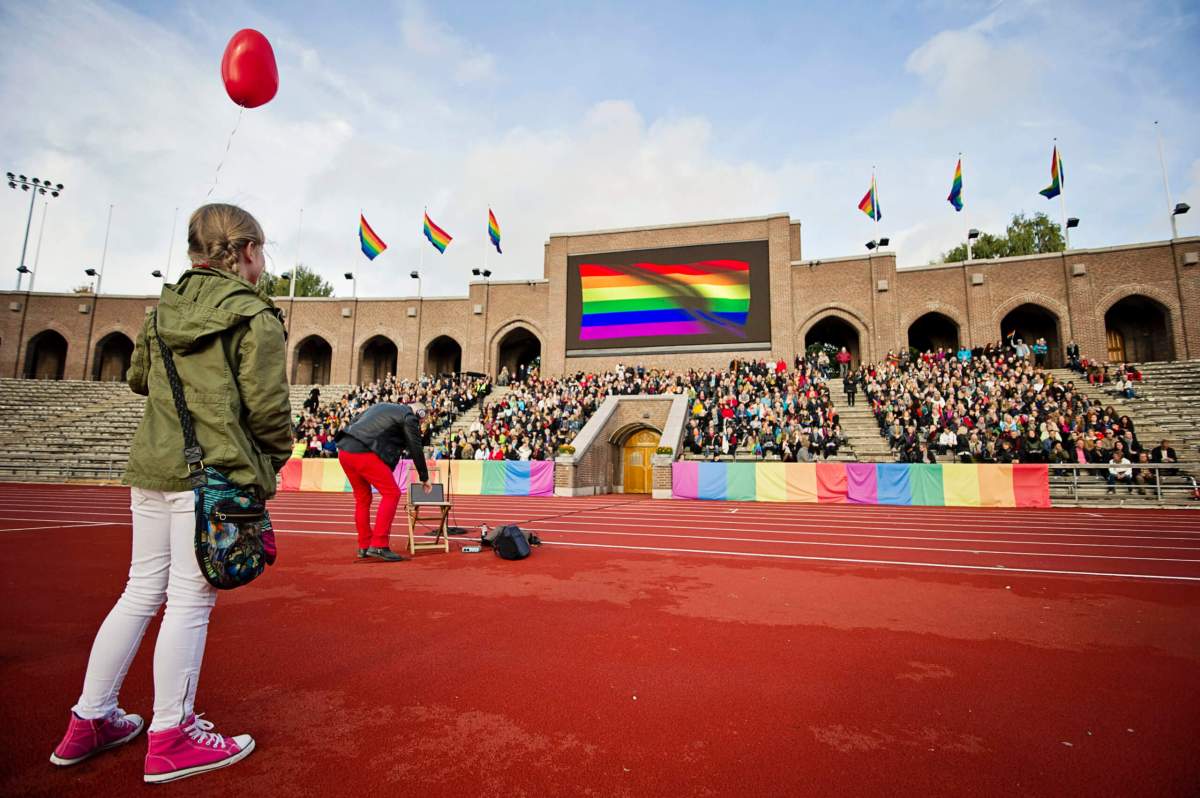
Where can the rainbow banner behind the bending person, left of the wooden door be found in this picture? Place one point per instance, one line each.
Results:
(461, 477)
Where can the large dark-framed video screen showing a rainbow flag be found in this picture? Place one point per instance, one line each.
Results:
(697, 298)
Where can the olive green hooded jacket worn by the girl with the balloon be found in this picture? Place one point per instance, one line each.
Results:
(229, 346)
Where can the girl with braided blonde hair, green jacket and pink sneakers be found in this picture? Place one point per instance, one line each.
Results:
(227, 343)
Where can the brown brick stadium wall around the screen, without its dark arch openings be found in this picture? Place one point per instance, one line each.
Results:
(869, 293)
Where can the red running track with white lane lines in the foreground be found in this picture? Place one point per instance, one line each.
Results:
(650, 649)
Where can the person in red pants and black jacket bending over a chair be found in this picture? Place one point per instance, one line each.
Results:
(369, 451)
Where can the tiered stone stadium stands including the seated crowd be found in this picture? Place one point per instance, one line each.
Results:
(52, 430)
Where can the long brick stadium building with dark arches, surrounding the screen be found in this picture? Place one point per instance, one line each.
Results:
(1133, 303)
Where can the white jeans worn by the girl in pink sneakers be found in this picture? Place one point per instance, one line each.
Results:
(164, 567)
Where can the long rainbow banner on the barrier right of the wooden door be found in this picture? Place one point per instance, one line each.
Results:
(833, 483)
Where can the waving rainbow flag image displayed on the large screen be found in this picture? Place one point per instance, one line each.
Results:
(650, 301)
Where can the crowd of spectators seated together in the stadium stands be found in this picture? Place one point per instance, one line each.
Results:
(991, 405)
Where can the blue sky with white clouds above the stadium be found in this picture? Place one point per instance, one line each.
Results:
(566, 117)
